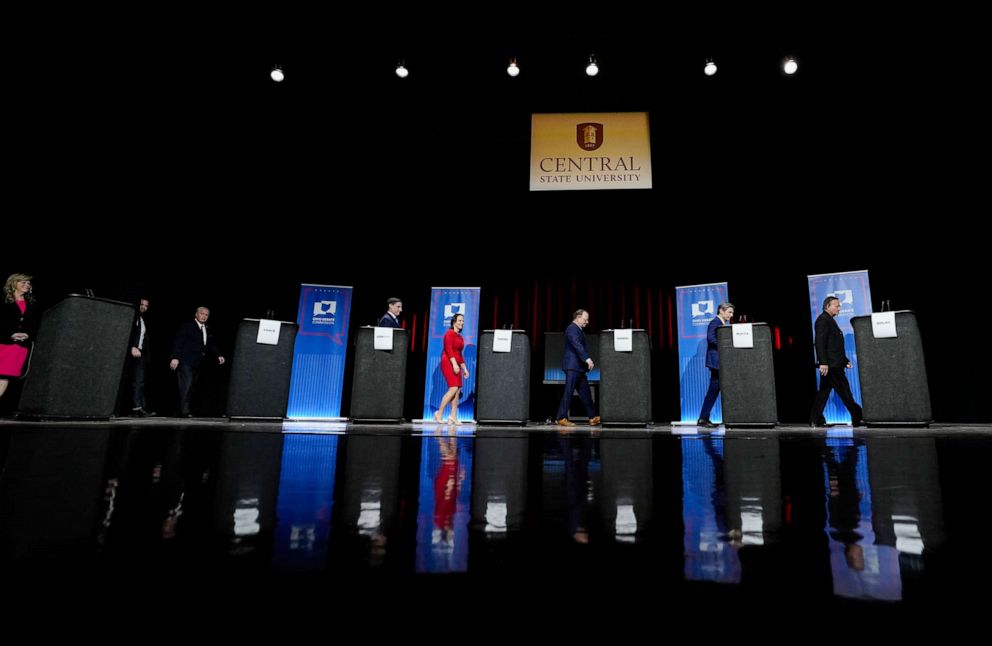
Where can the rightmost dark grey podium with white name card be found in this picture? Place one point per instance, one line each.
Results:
(893, 374)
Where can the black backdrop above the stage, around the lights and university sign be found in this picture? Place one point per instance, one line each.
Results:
(169, 164)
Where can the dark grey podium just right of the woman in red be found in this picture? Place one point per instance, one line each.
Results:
(504, 379)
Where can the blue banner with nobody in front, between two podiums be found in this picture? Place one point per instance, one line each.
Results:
(321, 347)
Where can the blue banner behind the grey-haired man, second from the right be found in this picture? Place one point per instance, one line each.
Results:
(695, 307)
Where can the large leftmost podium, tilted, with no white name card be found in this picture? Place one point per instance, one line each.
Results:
(78, 359)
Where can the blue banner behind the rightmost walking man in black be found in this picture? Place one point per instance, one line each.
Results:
(855, 300)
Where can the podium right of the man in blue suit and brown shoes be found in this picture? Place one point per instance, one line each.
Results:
(625, 380)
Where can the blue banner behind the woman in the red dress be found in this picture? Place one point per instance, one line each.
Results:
(445, 303)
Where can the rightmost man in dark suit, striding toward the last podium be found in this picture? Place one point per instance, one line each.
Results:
(832, 361)
